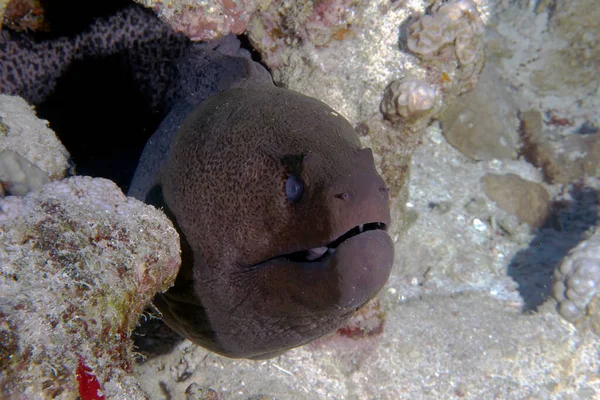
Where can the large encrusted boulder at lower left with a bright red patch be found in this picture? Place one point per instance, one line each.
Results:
(78, 263)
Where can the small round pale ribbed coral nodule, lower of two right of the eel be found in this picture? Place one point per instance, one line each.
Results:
(409, 99)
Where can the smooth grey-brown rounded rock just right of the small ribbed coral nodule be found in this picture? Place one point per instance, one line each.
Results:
(483, 124)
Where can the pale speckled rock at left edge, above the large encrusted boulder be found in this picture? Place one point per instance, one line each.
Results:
(25, 134)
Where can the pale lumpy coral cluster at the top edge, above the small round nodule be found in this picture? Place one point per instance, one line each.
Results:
(456, 22)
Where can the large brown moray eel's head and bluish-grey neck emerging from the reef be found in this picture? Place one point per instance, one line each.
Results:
(282, 215)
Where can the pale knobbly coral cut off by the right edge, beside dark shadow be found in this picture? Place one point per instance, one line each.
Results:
(576, 281)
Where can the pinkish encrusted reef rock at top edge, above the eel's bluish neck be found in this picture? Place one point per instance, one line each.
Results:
(205, 20)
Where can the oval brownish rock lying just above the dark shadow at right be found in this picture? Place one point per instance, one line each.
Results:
(528, 201)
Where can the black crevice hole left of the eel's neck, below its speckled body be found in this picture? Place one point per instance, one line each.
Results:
(101, 117)
